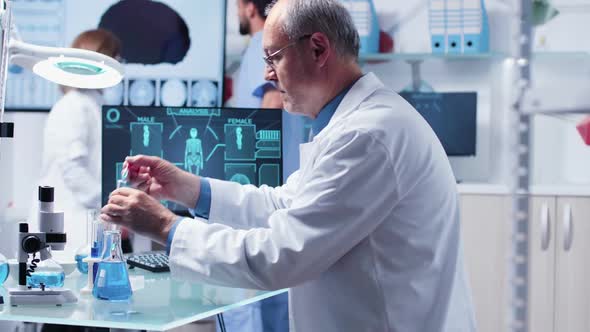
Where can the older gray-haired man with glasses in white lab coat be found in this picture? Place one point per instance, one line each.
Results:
(366, 233)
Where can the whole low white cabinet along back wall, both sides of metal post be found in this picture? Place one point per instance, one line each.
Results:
(559, 266)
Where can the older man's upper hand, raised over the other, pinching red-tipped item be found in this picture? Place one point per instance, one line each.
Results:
(162, 180)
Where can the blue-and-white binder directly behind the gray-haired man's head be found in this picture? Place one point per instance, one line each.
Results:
(364, 17)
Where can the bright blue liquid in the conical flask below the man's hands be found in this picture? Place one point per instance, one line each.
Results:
(112, 281)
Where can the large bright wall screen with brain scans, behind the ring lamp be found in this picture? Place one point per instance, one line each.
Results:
(172, 50)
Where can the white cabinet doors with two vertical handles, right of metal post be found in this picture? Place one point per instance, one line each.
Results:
(559, 288)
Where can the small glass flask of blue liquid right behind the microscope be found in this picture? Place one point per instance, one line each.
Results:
(47, 272)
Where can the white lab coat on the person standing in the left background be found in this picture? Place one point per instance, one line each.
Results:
(71, 161)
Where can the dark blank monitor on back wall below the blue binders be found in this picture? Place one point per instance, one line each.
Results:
(452, 116)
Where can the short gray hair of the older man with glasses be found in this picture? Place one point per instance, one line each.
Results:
(326, 16)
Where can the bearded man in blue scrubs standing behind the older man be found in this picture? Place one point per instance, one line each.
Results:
(253, 91)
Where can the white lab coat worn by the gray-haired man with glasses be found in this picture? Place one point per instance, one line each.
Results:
(366, 234)
